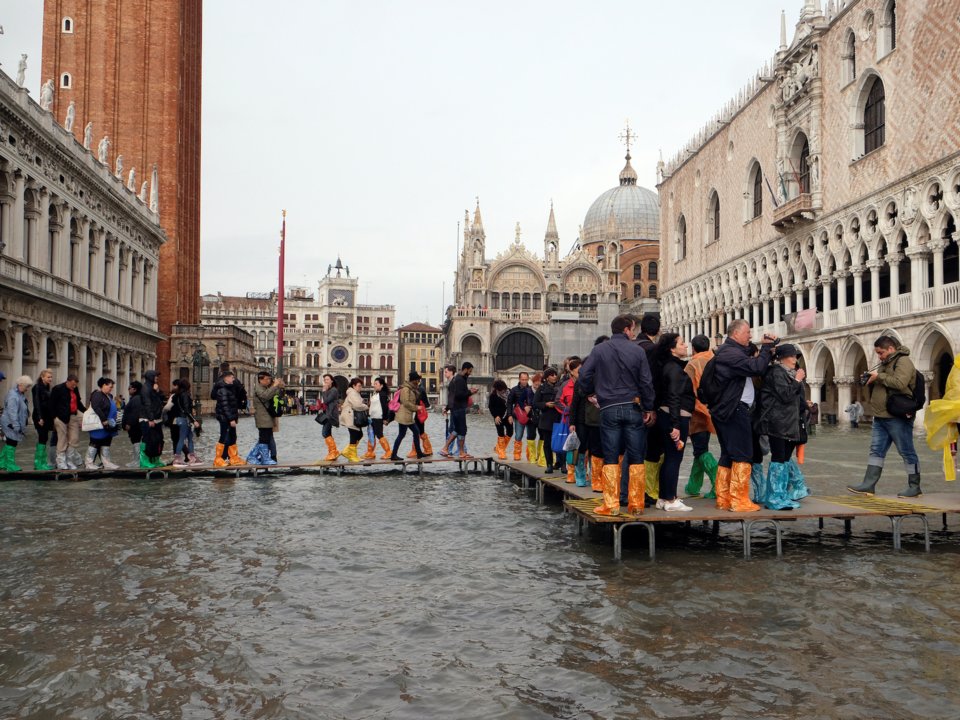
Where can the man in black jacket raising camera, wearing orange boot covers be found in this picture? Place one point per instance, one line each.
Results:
(734, 373)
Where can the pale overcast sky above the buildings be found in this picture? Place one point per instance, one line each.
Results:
(376, 124)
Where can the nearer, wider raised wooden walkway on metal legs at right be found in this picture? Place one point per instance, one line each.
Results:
(582, 501)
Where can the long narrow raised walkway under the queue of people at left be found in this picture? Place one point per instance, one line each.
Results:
(478, 464)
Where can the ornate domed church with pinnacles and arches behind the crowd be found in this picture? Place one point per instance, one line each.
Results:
(520, 311)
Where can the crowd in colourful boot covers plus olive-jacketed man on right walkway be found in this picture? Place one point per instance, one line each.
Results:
(621, 418)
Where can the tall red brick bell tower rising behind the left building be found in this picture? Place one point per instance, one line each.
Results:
(132, 69)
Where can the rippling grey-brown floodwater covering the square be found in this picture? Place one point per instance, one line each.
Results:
(451, 596)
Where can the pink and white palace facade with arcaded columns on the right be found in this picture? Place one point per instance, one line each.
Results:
(830, 183)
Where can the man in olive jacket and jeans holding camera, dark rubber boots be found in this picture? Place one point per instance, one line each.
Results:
(891, 386)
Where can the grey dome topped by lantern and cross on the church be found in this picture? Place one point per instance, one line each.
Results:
(626, 212)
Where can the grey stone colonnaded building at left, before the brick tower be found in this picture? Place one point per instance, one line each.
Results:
(78, 256)
